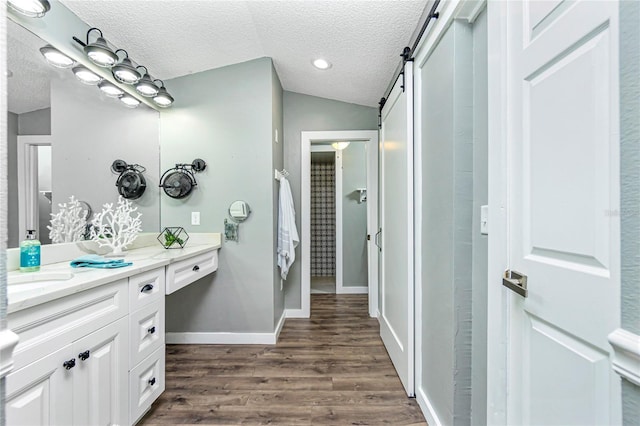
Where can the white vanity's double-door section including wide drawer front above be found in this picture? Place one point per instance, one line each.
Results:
(70, 364)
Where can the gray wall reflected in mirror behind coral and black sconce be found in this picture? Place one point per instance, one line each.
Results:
(89, 131)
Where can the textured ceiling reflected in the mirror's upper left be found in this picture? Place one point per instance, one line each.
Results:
(29, 76)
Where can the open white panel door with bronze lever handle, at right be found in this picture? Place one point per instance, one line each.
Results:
(563, 223)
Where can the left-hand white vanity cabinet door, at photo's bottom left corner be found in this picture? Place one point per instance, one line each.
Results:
(41, 393)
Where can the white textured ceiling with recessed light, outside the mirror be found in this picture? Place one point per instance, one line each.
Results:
(362, 39)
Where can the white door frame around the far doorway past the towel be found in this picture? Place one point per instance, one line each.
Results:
(371, 139)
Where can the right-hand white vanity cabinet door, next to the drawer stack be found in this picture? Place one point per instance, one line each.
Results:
(100, 379)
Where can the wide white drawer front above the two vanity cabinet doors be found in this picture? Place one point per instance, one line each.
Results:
(45, 328)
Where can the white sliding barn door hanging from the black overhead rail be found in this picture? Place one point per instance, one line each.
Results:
(396, 286)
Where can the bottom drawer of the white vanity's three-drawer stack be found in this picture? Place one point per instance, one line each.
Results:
(146, 383)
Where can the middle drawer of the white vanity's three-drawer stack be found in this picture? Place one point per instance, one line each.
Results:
(146, 331)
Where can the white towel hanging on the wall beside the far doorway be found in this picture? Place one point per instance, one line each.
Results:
(288, 238)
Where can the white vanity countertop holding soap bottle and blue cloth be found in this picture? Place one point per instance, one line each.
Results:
(25, 295)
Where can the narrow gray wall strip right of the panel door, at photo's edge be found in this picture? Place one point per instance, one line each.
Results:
(630, 187)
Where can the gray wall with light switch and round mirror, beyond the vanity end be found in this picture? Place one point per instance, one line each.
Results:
(225, 117)
